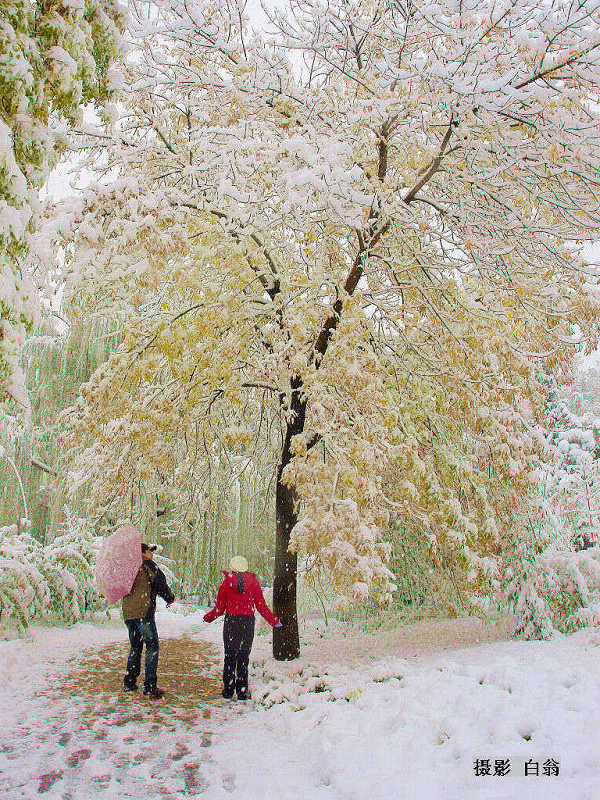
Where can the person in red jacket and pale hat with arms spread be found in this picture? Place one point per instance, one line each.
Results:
(239, 593)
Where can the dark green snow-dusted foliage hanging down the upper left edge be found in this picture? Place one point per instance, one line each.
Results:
(55, 58)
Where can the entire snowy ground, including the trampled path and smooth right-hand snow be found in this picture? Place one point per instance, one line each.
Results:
(396, 715)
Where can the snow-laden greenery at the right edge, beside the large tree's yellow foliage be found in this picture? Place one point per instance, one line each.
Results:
(551, 576)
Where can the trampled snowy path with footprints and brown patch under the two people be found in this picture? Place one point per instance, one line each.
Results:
(68, 732)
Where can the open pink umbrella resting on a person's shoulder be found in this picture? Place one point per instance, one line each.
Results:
(118, 562)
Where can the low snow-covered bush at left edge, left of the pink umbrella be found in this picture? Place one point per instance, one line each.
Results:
(53, 582)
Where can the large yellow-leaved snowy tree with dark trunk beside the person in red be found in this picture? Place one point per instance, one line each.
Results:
(349, 263)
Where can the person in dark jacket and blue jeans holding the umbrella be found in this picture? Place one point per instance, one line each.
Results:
(139, 607)
